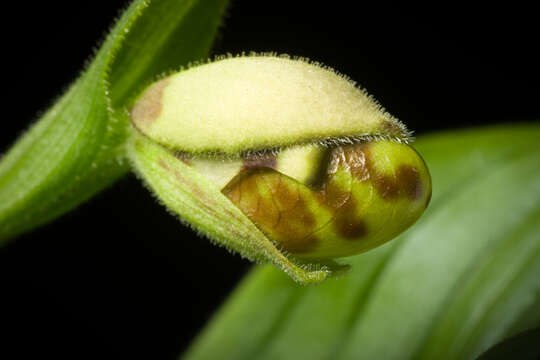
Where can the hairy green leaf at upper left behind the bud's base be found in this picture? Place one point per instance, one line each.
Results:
(77, 148)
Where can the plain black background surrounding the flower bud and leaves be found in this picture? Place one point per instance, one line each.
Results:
(119, 277)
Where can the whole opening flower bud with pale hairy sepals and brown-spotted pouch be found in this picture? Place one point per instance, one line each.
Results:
(281, 160)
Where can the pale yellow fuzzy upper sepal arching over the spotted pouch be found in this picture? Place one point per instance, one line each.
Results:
(258, 102)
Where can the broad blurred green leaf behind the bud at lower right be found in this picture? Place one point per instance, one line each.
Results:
(464, 278)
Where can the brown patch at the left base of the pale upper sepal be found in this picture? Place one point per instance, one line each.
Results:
(148, 107)
